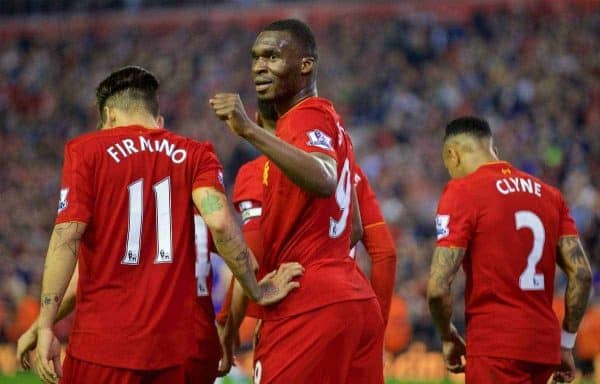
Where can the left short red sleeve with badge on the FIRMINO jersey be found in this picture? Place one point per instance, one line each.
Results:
(76, 202)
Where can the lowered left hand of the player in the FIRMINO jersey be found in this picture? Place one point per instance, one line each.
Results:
(48, 355)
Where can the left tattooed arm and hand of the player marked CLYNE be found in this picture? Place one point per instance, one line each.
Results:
(444, 265)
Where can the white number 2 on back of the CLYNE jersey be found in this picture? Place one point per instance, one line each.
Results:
(529, 279)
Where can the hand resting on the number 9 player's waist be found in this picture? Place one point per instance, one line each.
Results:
(277, 284)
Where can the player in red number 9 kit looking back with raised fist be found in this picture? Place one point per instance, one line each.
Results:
(330, 330)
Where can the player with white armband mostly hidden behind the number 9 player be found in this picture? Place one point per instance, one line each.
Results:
(247, 199)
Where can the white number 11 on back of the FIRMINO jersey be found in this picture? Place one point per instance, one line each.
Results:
(162, 193)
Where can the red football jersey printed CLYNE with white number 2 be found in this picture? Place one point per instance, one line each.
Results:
(509, 222)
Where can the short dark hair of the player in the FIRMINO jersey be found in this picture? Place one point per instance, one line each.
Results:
(127, 86)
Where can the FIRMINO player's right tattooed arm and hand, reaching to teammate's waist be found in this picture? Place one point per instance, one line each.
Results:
(226, 234)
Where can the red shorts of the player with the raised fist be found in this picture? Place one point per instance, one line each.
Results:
(339, 343)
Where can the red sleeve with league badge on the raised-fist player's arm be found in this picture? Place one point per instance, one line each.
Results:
(315, 131)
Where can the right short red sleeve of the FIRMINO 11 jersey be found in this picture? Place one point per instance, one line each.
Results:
(208, 171)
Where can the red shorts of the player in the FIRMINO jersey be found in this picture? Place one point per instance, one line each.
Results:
(77, 371)
